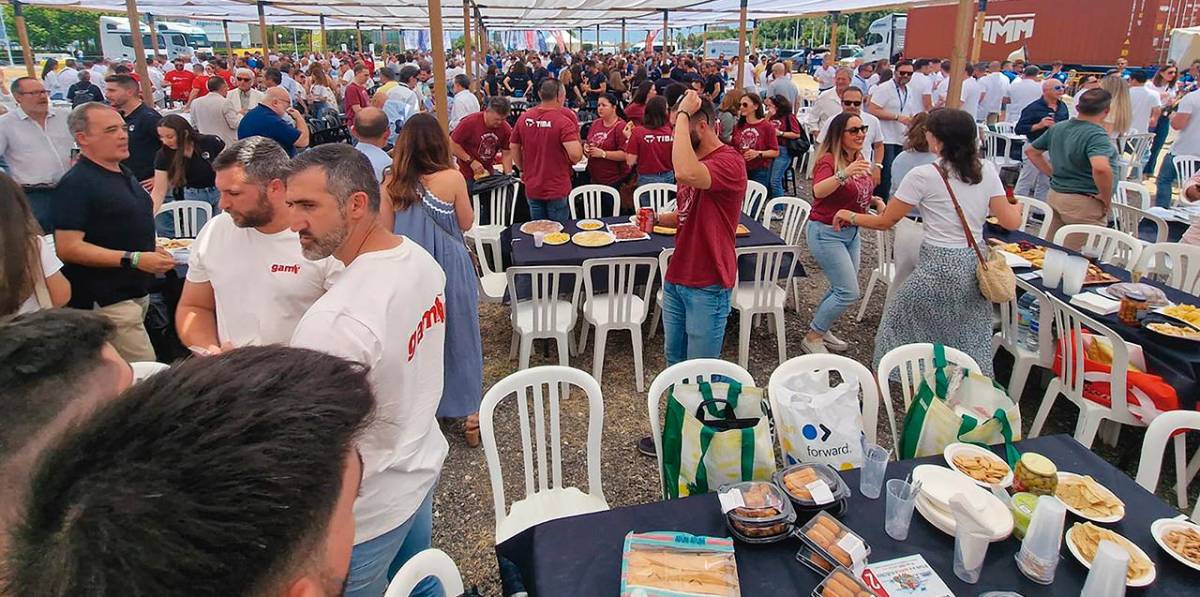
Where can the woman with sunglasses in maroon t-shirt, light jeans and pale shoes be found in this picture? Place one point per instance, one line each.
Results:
(843, 182)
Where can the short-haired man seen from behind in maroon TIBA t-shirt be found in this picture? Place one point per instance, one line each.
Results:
(545, 146)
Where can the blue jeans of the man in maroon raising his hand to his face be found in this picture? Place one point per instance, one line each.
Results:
(694, 322)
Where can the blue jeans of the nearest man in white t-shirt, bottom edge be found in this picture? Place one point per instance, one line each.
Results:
(375, 563)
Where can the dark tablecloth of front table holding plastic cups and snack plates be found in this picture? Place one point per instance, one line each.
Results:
(581, 556)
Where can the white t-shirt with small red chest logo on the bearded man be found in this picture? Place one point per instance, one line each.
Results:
(261, 282)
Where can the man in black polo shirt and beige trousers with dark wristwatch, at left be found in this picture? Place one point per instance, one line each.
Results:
(105, 233)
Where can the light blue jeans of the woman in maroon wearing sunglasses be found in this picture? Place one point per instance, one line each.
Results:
(838, 255)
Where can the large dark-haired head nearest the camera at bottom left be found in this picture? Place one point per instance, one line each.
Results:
(206, 477)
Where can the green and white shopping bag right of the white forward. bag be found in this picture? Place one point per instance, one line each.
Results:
(959, 406)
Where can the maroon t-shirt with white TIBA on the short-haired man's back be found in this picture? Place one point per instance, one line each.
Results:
(542, 132)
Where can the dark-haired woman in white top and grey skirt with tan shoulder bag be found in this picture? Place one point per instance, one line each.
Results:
(940, 303)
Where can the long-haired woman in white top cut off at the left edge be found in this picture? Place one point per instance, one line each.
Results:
(27, 261)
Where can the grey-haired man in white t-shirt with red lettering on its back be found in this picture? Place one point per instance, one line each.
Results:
(386, 311)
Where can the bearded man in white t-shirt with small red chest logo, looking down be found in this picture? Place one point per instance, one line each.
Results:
(248, 282)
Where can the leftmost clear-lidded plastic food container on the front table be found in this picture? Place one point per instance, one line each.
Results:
(758, 512)
